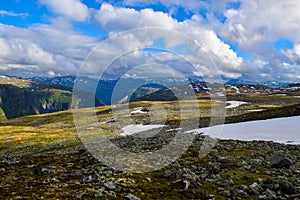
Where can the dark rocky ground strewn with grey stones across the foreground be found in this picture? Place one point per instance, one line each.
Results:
(232, 170)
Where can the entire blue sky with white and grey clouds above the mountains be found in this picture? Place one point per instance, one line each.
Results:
(244, 39)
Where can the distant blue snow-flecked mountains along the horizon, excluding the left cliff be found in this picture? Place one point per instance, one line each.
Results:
(161, 89)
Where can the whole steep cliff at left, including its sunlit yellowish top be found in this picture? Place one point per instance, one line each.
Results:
(20, 97)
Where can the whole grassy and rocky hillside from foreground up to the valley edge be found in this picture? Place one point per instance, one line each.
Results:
(44, 157)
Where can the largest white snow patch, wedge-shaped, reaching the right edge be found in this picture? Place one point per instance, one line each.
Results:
(281, 130)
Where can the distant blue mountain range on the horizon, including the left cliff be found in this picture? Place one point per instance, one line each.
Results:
(38, 95)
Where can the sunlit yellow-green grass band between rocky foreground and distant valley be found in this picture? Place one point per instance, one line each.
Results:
(58, 129)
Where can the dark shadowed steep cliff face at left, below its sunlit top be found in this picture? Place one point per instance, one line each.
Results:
(17, 102)
